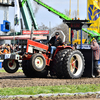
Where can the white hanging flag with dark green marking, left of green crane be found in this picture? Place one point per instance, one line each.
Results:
(17, 15)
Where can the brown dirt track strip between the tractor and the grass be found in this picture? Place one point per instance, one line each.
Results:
(19, 80)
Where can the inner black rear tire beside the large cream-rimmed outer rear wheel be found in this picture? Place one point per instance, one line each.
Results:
(58, 62)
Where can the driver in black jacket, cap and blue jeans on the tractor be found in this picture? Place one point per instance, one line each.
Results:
(54, 42)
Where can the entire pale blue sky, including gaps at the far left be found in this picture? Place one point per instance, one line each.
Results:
(46, 17)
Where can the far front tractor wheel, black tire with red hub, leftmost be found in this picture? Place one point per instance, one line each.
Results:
(10, 66)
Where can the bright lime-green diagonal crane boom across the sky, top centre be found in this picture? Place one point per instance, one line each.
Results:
(61, 15)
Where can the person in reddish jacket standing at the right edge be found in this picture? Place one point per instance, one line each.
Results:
(95, 48)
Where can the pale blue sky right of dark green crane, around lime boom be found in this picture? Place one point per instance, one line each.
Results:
(44, 16)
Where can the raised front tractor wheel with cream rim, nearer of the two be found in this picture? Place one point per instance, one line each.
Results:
(37, 62)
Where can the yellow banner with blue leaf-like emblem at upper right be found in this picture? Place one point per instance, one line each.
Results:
(93, 14)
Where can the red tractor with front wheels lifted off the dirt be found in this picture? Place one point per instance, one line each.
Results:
(36, 62)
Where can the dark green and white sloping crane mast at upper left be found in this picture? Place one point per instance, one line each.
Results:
(27, 14)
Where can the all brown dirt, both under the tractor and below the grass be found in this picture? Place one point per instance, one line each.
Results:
(19, 80)
